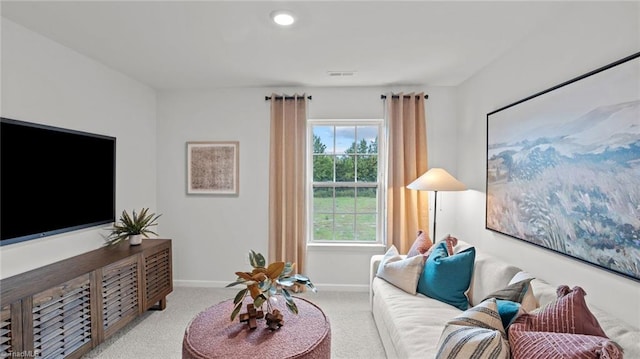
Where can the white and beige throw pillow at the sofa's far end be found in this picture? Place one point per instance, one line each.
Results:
(401, 272)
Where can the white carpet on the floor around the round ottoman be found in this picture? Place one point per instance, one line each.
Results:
(158, 334)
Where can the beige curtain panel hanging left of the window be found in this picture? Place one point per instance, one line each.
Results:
(287, 180)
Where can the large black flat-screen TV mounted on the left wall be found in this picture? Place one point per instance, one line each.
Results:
(53, 180)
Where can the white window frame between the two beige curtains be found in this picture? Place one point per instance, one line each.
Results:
(381, 183)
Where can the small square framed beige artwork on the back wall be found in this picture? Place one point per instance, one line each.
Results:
(212, 167)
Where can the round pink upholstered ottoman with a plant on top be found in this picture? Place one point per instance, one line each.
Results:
(211, 334)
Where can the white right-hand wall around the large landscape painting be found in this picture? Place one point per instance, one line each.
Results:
(584, 38)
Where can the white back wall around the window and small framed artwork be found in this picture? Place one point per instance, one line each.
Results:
(212, 235)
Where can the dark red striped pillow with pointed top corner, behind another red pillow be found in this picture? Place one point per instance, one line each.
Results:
(568, 314)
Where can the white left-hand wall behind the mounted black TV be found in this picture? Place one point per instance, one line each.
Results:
(47, 83)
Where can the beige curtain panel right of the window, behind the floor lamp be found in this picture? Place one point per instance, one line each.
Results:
(407, 210)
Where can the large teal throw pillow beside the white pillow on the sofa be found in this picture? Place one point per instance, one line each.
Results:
(447, 278)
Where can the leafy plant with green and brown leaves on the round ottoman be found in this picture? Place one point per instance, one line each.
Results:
(263, 283)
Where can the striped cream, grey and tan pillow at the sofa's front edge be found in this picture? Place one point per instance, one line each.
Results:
(476, 333)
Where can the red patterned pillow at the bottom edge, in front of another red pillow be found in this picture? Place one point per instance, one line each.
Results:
(526, 344)
